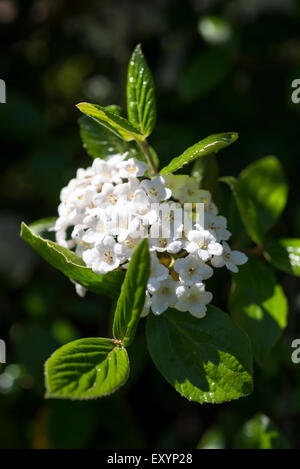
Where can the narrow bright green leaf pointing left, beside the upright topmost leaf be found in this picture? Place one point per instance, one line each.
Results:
(110, 120)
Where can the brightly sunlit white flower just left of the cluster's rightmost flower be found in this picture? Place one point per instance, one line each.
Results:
(203, 243)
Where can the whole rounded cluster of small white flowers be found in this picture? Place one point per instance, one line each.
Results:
(115, 189)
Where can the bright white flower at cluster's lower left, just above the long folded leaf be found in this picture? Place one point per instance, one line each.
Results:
(102, 258)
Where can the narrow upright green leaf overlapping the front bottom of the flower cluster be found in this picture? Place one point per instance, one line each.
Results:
(132, 298)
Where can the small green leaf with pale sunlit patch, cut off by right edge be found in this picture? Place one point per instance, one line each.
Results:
(285, 255)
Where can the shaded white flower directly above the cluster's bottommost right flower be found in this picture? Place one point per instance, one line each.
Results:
(191, 270)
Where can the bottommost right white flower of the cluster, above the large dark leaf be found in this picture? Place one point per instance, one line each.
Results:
(193, 299)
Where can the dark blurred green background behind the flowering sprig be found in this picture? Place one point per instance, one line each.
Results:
(218, 66)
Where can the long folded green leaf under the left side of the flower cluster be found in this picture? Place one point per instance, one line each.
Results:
(72, 265)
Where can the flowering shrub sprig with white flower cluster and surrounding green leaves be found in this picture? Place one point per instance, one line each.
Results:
(151, 239)
